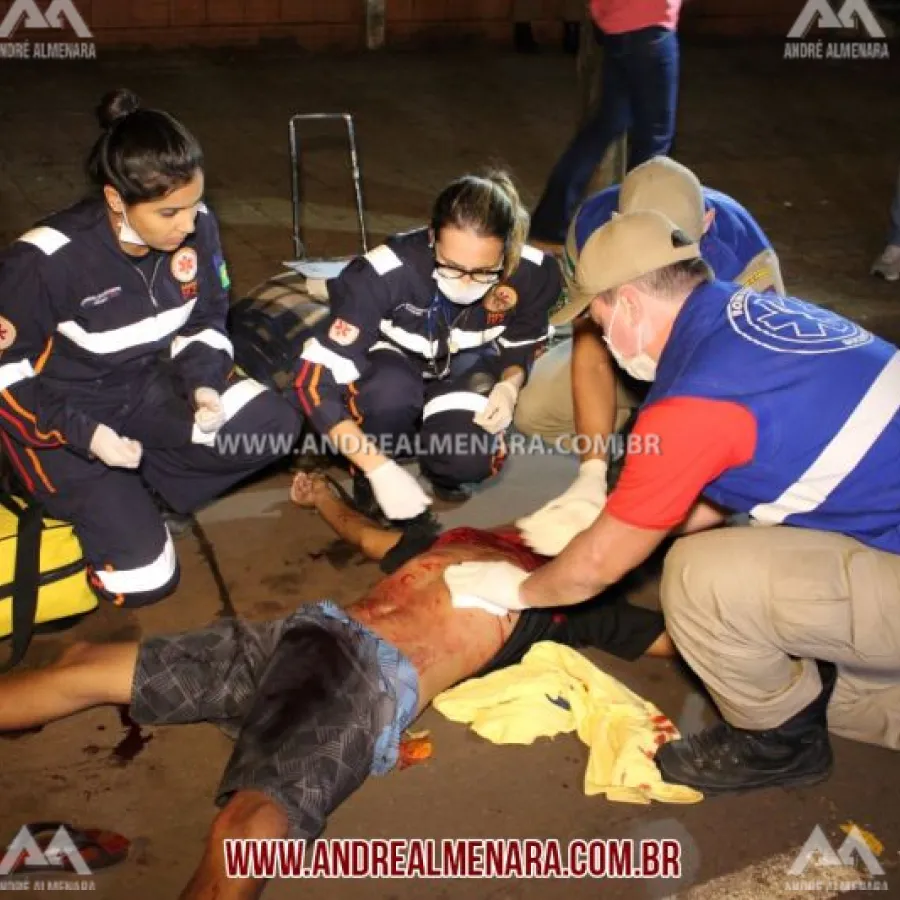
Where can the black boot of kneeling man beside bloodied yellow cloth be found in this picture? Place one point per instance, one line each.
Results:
(724, 759)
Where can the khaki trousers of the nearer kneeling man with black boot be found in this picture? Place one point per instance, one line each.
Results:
(751, 609)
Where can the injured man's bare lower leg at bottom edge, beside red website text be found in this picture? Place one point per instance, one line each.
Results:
(249, 815)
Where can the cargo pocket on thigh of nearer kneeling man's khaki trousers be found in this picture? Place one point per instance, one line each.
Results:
(811, 608)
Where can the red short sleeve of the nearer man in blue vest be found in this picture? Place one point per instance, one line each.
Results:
(685, 443)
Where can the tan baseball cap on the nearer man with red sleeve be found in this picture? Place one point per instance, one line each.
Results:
(627, 247)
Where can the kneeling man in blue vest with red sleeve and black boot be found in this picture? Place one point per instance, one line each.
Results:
(764, 405)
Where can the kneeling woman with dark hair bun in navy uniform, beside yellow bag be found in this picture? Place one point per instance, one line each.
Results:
(116, 374)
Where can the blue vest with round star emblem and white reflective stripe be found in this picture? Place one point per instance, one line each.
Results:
(825, 394)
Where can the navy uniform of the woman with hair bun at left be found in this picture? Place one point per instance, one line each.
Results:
(92, 335)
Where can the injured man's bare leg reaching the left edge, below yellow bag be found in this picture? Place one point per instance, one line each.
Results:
(85, 675)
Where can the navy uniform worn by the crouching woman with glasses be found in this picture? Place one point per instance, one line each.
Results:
(400, 359)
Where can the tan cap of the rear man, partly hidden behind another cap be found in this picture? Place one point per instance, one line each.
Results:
(668, 187)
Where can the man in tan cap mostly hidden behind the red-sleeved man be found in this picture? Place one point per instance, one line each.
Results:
(577, 396)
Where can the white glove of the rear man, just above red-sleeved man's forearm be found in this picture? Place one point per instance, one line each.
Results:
(549, 530)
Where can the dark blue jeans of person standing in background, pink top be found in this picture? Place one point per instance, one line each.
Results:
(639, 96)
